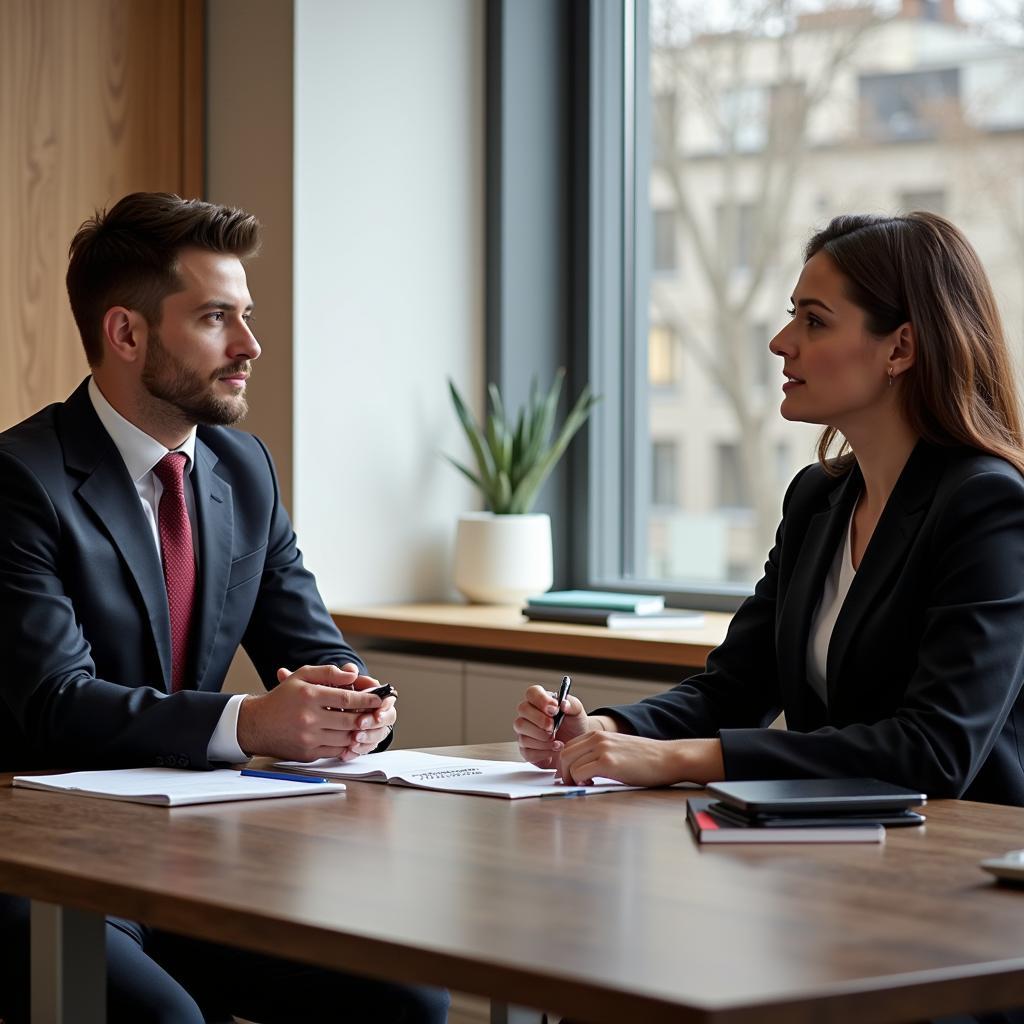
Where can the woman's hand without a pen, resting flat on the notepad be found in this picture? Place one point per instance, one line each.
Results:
(638, 761)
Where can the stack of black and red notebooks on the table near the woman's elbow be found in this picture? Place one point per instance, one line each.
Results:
(809, 810)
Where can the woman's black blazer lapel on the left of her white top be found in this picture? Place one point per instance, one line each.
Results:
(823, 535)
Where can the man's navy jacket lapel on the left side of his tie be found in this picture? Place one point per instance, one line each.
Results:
(110, 493)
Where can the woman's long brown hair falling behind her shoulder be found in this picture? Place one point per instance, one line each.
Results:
(919, 269)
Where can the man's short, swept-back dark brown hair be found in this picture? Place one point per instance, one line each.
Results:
(127, 257)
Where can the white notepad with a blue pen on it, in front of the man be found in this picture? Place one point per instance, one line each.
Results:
(173, 787)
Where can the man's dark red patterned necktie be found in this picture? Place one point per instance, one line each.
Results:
(180, 560)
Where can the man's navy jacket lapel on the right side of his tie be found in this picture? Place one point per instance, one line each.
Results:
(216, 513)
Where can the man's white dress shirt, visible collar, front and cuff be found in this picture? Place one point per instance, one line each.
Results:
(141, 454)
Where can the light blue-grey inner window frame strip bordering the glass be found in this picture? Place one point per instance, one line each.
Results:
(612, 244)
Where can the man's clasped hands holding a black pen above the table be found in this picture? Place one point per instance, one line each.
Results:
(316, 712)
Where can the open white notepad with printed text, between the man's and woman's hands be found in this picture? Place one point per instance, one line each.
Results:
(511, 780)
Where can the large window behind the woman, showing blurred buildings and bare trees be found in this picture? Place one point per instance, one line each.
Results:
(746, 125)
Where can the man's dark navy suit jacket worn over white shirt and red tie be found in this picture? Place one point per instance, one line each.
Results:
(86, 651)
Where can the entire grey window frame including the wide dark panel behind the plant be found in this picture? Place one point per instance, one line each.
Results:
(566, 251)
